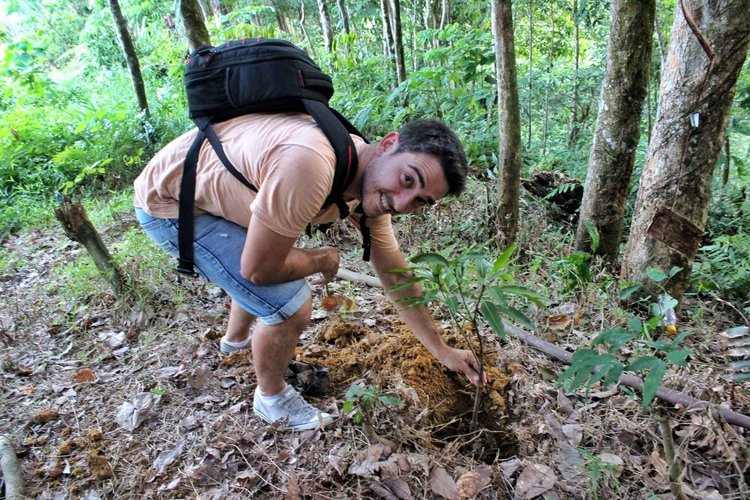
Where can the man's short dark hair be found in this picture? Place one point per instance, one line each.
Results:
(435, 138)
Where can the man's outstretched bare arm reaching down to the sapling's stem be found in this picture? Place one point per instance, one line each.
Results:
(418, 318)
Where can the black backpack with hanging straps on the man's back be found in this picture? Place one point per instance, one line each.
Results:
(259, 76)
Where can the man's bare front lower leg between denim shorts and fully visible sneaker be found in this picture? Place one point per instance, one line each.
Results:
(273, 349)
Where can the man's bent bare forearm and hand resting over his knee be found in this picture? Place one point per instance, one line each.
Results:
(269, 258)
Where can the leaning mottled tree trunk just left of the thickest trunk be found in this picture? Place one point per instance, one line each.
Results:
(618, 123)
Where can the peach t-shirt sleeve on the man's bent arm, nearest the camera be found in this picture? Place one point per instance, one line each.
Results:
(293, 188)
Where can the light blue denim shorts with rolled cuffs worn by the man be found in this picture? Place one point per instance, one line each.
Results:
(218, 246)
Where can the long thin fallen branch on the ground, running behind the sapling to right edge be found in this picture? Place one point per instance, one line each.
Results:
(665, 394)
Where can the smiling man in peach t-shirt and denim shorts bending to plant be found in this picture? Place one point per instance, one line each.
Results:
(244, 242)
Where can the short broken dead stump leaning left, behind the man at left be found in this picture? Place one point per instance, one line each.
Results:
(78, 227)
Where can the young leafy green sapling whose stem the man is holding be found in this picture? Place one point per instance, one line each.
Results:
(473, 290)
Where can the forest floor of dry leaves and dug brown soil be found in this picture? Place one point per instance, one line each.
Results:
(105, 399)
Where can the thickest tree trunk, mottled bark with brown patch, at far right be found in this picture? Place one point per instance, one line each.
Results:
(709, 43)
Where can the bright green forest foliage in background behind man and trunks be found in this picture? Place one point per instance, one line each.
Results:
(70, 122)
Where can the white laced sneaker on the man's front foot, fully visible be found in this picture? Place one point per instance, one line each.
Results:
(290, 406)
